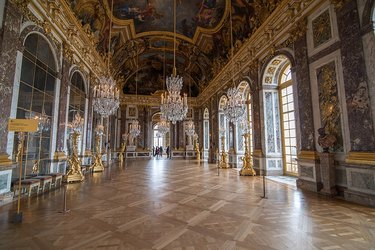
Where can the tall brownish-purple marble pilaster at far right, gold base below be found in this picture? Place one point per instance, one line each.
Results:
(356, 86)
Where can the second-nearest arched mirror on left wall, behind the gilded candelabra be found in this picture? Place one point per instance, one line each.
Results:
(77, 101)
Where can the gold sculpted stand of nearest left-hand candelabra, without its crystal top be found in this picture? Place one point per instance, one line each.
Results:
(74, 174)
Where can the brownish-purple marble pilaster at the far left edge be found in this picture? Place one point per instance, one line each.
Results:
(9, 46)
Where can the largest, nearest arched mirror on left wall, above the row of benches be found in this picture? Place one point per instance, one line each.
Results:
(36, 97)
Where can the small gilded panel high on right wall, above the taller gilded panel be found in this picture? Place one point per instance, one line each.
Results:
(321, 27)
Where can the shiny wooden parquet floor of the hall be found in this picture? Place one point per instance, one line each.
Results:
(176, 204)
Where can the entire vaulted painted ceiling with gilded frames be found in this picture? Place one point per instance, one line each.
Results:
(142, 33)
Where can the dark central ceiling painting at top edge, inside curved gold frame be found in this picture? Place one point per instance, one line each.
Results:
(157, 15)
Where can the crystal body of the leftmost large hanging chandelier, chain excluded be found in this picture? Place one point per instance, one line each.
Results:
(106, 98)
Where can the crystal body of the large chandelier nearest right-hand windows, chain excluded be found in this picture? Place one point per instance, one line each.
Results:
(234, 108)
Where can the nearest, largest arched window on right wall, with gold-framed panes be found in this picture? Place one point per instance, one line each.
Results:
(280, 125)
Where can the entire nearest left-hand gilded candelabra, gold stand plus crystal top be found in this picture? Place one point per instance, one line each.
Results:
(75, 173)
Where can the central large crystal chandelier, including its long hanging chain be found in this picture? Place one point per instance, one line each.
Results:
(173, 105)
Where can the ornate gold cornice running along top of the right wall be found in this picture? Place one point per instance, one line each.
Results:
(266, 39)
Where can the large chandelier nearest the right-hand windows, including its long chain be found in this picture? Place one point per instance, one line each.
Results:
(233, 108)
